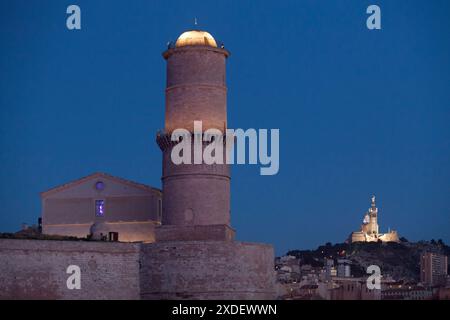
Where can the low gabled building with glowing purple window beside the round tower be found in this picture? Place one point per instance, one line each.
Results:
(103, 207)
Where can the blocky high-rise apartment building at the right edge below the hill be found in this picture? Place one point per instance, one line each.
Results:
(433, 269)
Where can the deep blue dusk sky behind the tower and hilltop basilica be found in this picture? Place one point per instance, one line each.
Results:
(359, 111)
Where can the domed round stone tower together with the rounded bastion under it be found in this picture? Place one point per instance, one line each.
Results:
(195, 255)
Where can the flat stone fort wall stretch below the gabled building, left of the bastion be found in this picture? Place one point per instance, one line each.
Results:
(36, 269)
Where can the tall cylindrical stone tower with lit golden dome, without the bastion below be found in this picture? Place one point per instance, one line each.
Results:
(196, 197)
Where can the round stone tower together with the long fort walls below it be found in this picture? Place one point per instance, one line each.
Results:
(195, 255)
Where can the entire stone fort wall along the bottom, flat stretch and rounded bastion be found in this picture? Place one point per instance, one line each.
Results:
(36, 269)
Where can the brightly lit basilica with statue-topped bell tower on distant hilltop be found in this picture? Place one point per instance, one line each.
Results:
(370, 230)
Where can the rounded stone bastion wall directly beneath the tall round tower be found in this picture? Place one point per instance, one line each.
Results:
(207, 270)
